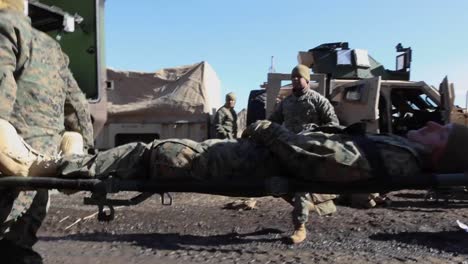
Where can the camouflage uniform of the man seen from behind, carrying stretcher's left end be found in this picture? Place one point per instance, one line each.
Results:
(40, 98)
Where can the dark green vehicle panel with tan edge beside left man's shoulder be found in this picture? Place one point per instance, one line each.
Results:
(78, 26)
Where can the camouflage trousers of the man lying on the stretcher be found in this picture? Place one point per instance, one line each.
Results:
(159, 159)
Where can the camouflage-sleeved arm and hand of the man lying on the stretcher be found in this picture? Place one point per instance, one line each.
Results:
(307, 157)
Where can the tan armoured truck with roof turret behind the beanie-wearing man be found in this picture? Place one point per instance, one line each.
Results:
(362, 90)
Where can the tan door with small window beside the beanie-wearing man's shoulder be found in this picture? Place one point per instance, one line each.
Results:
(357, 101)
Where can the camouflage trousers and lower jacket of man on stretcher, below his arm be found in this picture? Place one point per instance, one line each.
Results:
(212, 159)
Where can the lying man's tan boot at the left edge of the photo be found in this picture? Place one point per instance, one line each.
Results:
(17, 158)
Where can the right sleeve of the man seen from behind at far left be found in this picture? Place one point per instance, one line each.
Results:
(77, 114)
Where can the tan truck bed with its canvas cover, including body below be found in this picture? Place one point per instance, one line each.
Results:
(169, 103)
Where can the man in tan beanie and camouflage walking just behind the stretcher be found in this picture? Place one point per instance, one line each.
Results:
(302, 110)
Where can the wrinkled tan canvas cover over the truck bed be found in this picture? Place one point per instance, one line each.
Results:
(171, 94)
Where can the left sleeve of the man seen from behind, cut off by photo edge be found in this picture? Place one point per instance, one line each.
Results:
(9, 57)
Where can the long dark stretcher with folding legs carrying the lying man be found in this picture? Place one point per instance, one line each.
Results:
(100, 189)
